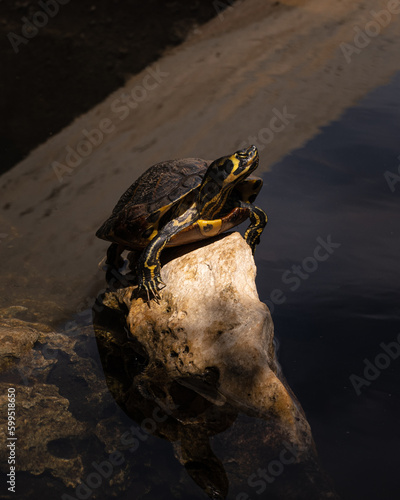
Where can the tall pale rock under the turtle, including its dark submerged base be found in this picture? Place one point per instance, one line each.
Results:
(205, 356)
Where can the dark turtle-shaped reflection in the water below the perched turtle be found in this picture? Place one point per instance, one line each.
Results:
(183, 416)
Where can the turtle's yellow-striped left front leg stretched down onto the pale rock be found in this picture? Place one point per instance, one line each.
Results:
(149, 266)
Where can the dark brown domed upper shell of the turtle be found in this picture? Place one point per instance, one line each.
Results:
(153, 196)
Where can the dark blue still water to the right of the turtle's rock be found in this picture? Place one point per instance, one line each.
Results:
(339, 310)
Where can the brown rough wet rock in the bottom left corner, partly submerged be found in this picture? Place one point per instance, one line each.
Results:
(61, 398)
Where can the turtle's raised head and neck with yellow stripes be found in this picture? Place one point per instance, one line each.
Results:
(222, 176)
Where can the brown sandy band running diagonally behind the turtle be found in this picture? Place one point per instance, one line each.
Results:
(259, 73)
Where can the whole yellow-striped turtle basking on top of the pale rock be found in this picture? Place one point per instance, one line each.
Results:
(176, 202)
